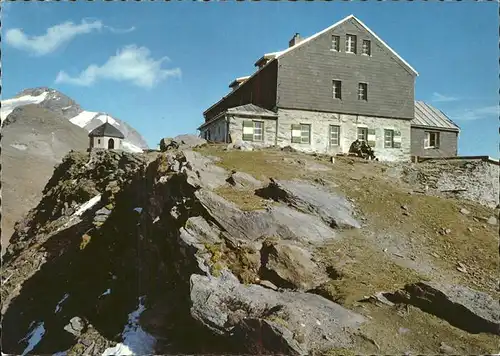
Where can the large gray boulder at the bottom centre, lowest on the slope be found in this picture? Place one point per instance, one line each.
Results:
(288, 322)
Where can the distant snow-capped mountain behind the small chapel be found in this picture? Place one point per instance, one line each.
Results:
(39, 127)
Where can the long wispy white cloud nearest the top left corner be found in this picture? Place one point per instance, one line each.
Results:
(55, 36)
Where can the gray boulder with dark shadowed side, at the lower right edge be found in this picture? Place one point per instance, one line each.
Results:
(466, 308)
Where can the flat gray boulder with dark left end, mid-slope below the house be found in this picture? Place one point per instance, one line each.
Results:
(333, 209)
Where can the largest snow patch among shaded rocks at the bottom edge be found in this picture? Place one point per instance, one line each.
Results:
(135, 340)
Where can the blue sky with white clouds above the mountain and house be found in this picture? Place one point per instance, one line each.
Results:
(159, 65)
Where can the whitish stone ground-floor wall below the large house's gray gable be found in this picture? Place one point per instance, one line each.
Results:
(320, 130)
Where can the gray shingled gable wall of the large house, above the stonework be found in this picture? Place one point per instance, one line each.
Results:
(305, 77)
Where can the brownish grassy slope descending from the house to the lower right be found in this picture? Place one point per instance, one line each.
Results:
(392, 248)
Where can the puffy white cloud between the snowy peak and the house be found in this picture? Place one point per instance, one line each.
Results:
(131, 64)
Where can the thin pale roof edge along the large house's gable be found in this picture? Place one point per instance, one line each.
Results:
(306, 40)
